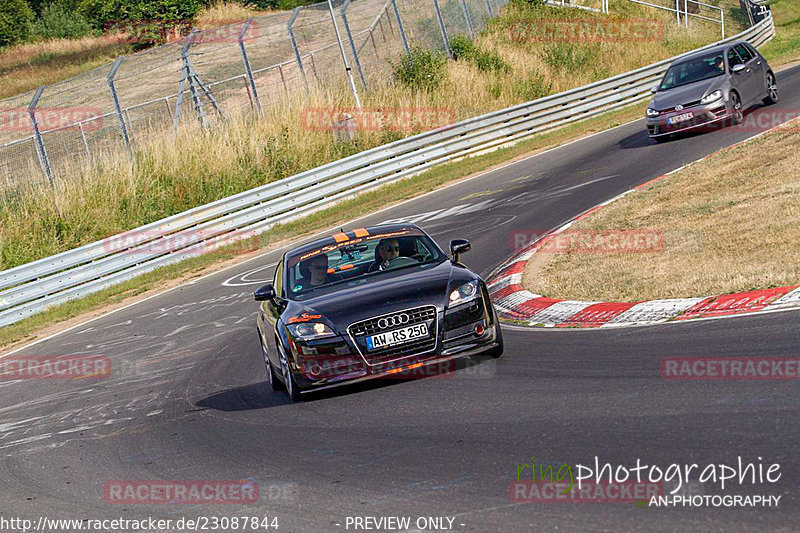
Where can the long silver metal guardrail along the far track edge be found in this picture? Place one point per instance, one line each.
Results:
(31, 288)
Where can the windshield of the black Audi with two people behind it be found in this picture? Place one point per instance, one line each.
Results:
(357, 261)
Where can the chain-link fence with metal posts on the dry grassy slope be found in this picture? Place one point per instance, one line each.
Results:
(211, 74)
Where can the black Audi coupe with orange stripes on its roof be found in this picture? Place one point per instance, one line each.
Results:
(371, 303)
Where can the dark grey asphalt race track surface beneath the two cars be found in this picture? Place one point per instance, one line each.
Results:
(188, 399)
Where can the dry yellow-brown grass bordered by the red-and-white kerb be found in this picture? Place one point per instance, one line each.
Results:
(730, 223)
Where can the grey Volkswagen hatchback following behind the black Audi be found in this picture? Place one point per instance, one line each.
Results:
(710, 88)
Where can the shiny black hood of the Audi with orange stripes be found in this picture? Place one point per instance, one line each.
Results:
(389, 292)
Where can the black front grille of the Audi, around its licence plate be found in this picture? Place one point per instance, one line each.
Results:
(359, 331)
